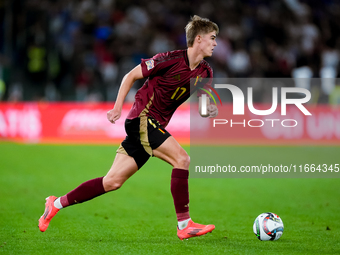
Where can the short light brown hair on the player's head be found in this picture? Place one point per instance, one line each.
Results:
(198, 25)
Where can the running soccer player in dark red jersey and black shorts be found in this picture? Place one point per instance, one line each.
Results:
(167, 87)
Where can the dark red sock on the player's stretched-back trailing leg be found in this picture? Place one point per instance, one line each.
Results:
(84, 192)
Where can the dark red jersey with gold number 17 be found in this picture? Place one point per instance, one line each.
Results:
(167, 86)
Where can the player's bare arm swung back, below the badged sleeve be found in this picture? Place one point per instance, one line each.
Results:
(125, 86)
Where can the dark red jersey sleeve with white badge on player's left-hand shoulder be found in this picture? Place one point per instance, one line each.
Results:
(153, 66)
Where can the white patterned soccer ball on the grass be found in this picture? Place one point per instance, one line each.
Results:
(268, 227)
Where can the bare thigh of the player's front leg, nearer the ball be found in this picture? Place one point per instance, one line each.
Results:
(173, 153)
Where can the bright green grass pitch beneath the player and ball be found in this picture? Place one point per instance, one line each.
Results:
(140, 218)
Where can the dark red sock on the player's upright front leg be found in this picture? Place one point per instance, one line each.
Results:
(180, 192)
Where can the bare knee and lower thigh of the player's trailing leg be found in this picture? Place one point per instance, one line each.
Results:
(123, 168)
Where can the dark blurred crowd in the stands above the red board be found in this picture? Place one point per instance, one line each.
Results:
(60, 50)
